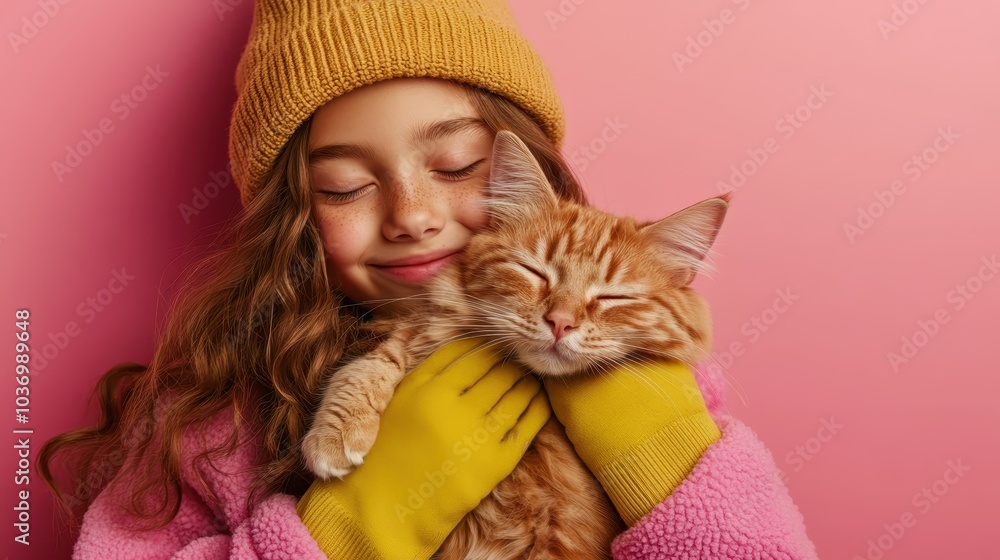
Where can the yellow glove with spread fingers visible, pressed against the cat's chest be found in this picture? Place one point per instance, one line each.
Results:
(456, 426)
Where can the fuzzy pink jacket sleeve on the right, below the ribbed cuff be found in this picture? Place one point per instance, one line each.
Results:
(732, 505)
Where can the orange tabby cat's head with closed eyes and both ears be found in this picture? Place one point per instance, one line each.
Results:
(572, 288)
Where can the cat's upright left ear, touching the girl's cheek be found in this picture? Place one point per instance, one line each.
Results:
(518, 188)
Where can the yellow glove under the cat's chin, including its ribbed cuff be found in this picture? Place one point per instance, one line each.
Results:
(640, 428)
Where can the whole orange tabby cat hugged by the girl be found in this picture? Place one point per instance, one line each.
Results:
(569, 290)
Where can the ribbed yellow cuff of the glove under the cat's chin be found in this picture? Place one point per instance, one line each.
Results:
(641, 478)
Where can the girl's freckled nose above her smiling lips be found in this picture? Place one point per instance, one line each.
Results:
(415, 212)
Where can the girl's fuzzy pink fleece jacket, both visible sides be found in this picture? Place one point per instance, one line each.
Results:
(732, 505)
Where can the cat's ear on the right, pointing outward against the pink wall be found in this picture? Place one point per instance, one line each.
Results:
(685, 237)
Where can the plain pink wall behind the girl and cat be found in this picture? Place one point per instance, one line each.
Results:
(822, 361)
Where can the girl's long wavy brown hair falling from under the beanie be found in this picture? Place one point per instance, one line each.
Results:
(256, 327)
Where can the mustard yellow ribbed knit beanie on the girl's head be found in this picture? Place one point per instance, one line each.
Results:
(303, 53)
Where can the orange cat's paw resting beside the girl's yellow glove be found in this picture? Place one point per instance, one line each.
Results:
(338, 442)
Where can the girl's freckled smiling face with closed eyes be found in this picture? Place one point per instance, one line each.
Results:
(396, 169)
